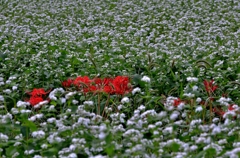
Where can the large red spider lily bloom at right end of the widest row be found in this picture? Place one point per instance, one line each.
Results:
(121, 85)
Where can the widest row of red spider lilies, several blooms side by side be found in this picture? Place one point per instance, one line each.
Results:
(119, 85)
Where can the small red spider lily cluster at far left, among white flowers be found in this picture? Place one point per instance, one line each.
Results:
(37, 96)
